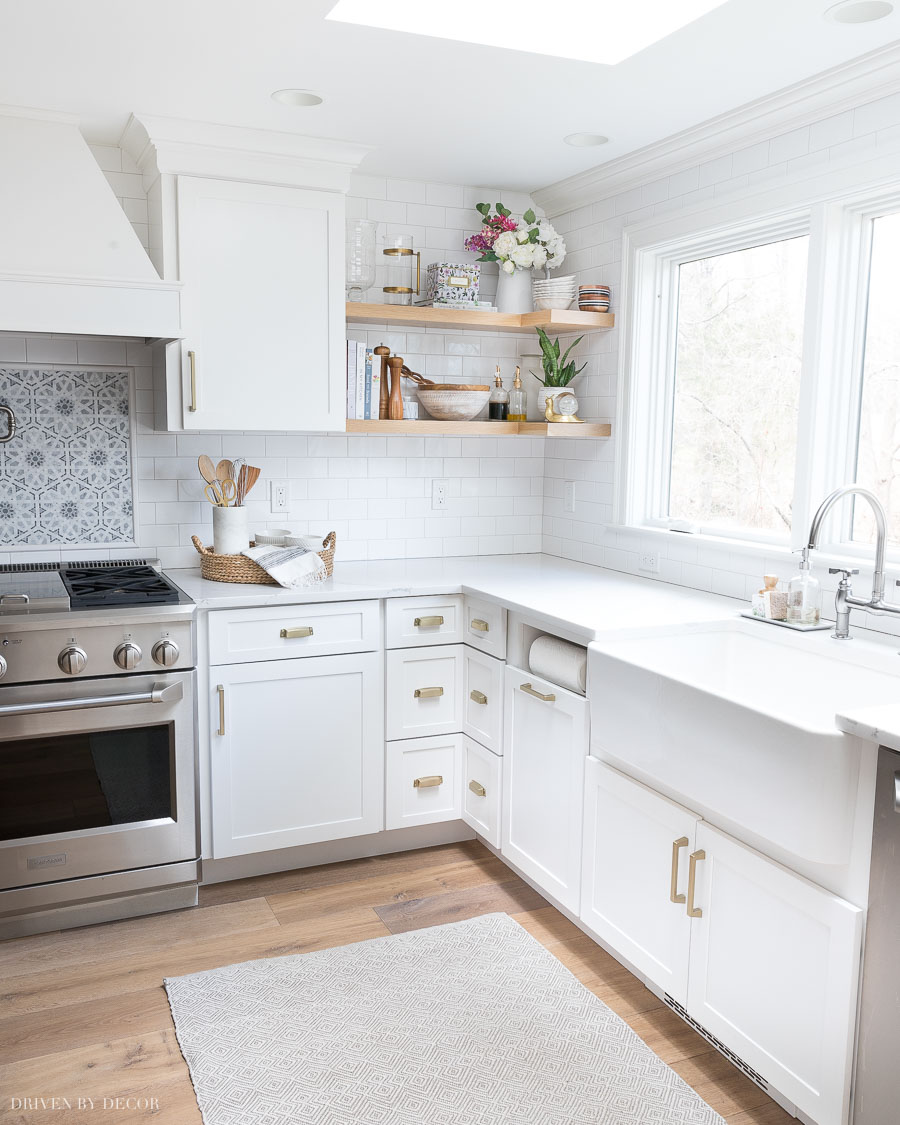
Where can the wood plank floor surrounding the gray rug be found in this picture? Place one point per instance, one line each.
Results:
(84, 1013)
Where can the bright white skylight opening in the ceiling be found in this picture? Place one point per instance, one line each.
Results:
(599, 32)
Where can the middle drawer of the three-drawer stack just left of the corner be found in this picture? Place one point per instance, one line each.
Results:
(425, 691)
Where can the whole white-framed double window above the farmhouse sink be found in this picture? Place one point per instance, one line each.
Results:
(762, 368)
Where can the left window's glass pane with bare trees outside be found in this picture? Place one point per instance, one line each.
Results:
(737, 388)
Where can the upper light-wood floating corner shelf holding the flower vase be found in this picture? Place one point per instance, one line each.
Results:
(551, 320)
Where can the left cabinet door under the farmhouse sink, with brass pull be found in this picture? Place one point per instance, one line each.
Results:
(635, 875)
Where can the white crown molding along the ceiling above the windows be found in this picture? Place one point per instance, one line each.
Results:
(874, 76)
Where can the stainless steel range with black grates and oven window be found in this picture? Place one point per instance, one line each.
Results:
(97, 745)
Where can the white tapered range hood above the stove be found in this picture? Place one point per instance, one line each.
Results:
(70, 262)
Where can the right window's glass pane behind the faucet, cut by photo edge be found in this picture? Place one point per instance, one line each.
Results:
(878, 457)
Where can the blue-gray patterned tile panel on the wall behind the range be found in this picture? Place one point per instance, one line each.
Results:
(67, 475)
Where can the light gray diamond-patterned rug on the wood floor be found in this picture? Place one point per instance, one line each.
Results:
(473, 1023)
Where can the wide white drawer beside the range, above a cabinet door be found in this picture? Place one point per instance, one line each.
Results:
(276, 633)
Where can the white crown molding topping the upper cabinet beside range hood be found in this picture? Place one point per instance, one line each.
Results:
(169, 146)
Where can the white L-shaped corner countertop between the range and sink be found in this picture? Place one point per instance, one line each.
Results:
(583, 599)
